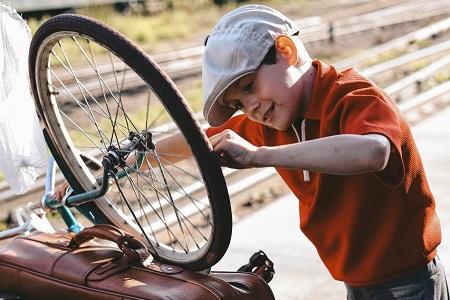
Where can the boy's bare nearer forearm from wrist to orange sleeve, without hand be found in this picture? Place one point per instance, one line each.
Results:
(339, 155)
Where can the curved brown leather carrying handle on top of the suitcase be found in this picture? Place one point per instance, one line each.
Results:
(132, 248)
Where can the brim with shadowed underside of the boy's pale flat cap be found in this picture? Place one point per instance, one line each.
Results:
(218, 114)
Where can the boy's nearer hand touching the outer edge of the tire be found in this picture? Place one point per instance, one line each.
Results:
(234, 151)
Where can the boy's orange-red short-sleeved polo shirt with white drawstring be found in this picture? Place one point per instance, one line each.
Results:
(367, 228)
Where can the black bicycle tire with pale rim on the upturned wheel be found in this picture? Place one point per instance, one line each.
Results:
(49, 34)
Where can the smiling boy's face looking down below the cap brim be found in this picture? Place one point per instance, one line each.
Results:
(270, 96)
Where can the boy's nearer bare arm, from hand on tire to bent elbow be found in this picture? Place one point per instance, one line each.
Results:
(346, 154)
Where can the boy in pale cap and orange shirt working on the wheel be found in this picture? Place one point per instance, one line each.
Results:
(340, 144)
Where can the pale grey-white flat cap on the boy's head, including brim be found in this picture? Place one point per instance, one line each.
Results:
(236, 47)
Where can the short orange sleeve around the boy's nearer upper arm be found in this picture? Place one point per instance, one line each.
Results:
(368, 111)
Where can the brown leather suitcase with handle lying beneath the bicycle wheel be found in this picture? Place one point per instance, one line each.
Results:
(67, 266)
